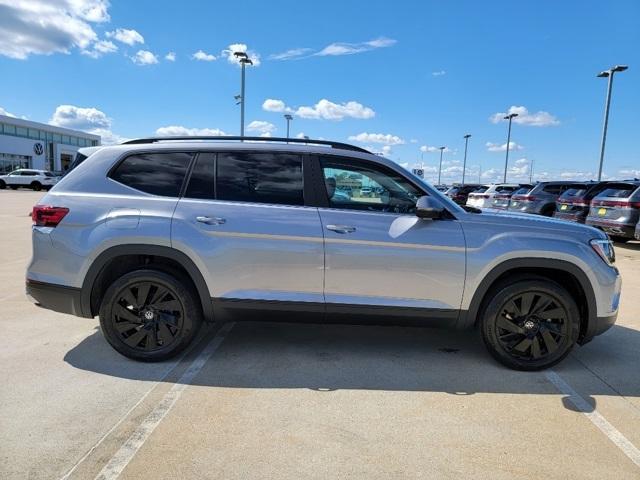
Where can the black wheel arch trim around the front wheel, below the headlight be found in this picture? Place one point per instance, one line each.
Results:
(569, 275)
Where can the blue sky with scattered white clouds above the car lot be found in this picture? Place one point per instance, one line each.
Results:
(393, 76)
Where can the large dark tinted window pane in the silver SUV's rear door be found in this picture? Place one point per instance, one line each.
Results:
(260, 177)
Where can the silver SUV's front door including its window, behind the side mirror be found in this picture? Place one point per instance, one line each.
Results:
(378, 253)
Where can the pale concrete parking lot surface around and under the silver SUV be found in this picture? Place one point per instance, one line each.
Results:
(263, 400)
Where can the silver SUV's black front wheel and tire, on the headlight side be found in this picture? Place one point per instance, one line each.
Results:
(516, 330)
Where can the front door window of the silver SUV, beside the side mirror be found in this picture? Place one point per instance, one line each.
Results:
(358, 185)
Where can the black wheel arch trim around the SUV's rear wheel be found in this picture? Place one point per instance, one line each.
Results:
(121, 259)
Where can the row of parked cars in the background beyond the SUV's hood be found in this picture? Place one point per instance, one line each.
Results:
(611, 206)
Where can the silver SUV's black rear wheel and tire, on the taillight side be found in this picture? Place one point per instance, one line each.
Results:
(175, 316)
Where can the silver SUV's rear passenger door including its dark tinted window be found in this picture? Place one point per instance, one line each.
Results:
(243, 218)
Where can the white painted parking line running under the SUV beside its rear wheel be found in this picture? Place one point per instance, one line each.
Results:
(128, 450)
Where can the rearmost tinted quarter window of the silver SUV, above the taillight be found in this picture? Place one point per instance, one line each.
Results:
(155, 173)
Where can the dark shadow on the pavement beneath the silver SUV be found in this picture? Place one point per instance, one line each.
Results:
(334, 357)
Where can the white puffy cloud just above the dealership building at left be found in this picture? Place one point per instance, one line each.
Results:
(88, 119)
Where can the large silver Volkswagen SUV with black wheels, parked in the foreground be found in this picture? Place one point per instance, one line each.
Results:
(158, 235)
